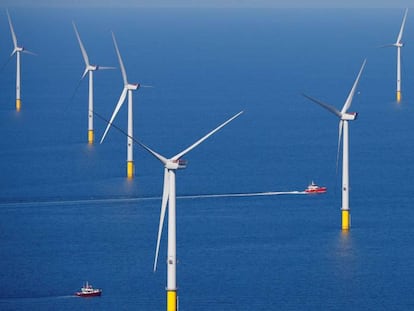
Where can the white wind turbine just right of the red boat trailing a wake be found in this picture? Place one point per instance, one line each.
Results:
(344, 116)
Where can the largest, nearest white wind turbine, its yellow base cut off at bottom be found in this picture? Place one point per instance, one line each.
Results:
(169, 196)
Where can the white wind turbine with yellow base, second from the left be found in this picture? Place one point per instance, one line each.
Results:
(89, 69)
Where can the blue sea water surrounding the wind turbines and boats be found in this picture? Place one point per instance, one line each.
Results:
(69, 215)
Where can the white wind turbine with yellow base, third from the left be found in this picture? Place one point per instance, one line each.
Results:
(128, 88)
